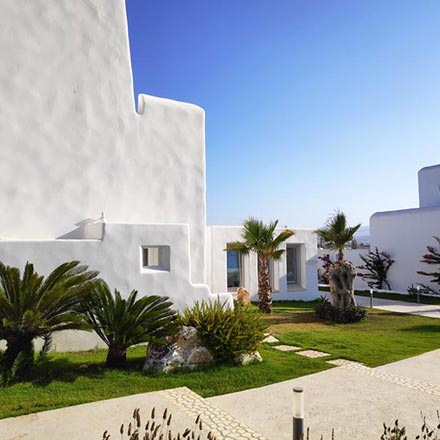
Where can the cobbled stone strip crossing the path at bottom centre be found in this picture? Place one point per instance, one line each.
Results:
(222, 424)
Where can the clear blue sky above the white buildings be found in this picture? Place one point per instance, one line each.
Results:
(310, 105)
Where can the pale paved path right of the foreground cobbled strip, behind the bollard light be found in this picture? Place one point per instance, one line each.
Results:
(353, 399)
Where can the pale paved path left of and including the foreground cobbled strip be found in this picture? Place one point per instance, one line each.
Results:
(89, 421)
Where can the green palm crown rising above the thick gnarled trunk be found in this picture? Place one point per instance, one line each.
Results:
(336, 233)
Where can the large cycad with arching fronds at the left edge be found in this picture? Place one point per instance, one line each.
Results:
(32, 306)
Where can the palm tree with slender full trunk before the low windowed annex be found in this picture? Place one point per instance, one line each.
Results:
(259, 238)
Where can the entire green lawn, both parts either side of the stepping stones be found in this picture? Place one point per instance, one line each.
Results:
(69, 379)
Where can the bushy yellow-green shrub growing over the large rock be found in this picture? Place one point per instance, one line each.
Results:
(226, 332)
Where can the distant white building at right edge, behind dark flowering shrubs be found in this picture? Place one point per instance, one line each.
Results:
(406, 233)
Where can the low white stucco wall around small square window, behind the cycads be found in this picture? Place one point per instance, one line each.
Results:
(118, 258)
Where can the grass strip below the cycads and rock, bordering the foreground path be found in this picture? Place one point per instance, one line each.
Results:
(71, 378)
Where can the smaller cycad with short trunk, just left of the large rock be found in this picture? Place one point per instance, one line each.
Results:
(121, 323)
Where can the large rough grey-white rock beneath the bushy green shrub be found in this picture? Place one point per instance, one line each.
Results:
(183, 351)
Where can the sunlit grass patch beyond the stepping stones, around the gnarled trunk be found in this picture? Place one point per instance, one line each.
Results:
(381, 338)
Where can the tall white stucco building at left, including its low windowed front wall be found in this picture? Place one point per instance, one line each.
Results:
(73, 147)
